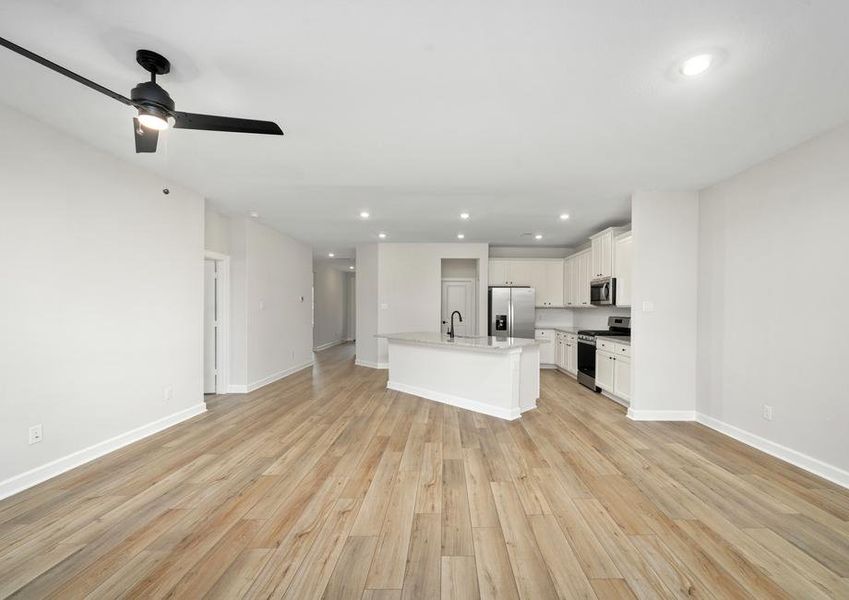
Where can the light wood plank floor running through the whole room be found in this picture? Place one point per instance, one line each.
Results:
(325, 484)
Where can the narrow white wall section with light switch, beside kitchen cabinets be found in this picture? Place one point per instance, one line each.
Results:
(664, 271)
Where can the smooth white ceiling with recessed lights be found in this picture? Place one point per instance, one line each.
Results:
(513, 110)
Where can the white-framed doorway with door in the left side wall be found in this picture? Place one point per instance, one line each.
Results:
(216, 322)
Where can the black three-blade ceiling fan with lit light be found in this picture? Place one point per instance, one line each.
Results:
(155, 107)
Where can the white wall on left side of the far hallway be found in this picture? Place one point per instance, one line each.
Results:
(330, 304)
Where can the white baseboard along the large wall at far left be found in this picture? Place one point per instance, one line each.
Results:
(19, 483)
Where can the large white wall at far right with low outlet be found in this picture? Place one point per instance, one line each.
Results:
(773, 281)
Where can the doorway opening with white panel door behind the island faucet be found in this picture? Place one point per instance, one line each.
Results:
(460, 292)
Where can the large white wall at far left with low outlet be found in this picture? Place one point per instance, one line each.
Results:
(102, 279)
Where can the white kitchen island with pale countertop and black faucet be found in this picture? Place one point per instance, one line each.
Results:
(491, 375)
